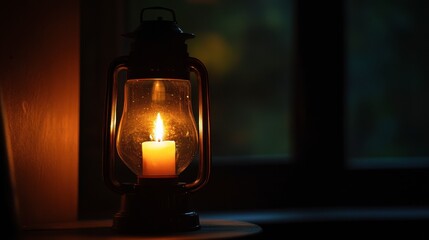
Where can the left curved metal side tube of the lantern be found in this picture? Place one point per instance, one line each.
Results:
(109, 154)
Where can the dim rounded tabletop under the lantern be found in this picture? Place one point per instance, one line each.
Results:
(101, 229)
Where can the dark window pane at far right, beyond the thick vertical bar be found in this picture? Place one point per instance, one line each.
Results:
(387, 99)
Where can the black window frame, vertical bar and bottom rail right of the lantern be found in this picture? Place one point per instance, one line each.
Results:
(317, 174)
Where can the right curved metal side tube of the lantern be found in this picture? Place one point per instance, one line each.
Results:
(198, 68)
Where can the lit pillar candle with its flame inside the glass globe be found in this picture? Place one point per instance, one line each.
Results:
(159, 157)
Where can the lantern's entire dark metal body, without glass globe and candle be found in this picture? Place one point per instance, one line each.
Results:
(156, 204)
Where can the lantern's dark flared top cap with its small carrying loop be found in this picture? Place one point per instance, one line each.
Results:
(159, 28)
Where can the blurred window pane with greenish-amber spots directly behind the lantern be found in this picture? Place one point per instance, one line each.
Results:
(246, 47)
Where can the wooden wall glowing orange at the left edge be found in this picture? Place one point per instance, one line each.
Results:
(40, 87)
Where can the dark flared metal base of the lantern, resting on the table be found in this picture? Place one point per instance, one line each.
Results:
(156, 205)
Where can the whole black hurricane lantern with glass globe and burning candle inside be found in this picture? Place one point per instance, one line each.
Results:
(157, 136)
